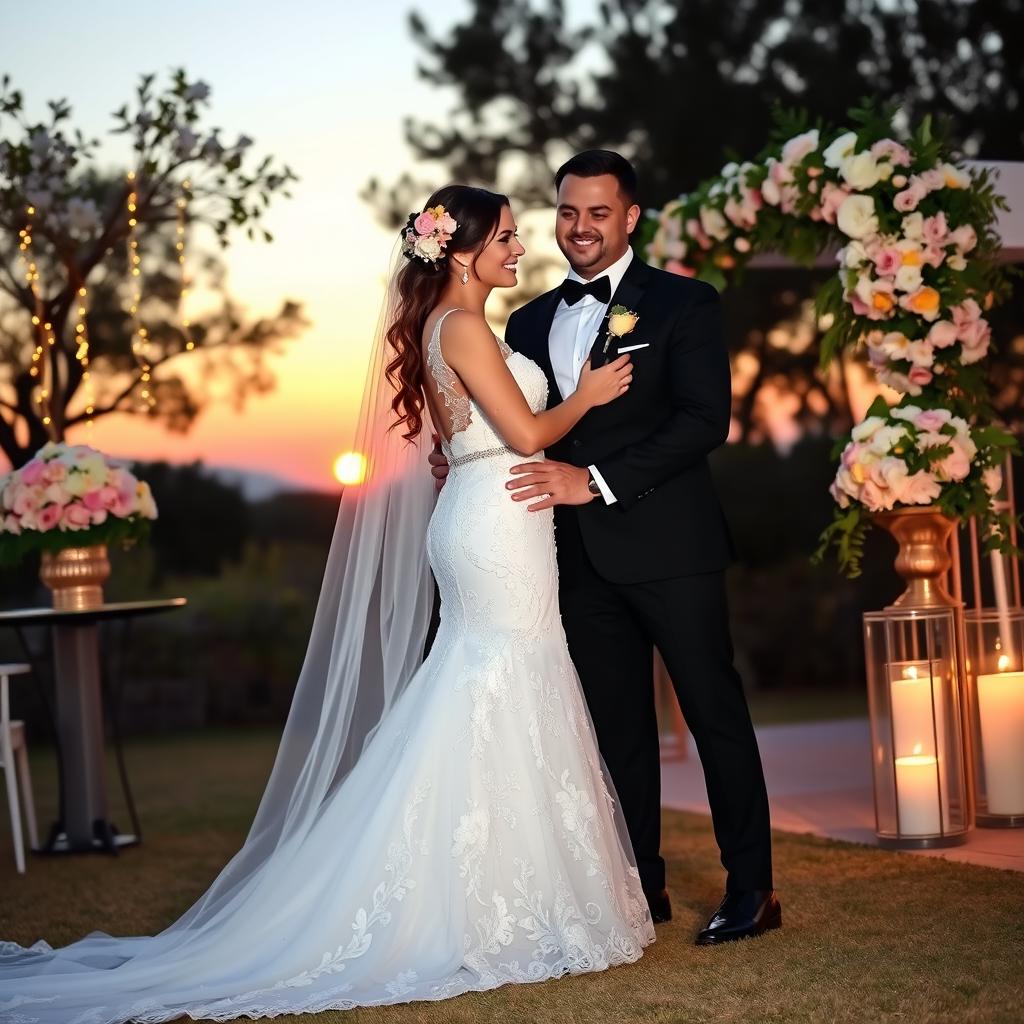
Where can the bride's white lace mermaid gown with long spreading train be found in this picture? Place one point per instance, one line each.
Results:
(475, 843)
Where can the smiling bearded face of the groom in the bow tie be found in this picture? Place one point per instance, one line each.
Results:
(593, 223)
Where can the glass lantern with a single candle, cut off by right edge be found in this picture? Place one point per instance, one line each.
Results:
(996, 672)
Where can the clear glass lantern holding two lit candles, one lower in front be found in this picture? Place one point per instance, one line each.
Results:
(922, 796)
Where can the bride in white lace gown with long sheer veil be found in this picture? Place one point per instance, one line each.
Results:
(429, 829)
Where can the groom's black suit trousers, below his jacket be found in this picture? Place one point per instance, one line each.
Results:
(612, 631)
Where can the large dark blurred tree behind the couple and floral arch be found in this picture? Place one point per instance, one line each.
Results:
(680, 87)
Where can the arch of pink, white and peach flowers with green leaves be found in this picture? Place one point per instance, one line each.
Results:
(918, 272)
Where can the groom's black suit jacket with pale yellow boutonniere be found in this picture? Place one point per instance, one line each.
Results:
(652, 445)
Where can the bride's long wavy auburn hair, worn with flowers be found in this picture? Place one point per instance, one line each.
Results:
(478, 212)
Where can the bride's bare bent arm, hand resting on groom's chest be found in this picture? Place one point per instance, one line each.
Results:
(470, 349)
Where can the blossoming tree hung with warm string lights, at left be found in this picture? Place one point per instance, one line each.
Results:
(95, 271)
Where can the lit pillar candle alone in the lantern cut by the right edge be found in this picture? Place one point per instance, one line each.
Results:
(1001, 712)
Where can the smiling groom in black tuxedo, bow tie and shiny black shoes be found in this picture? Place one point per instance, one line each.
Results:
(643, 542)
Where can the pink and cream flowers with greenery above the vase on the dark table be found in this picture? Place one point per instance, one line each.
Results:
(71, 496)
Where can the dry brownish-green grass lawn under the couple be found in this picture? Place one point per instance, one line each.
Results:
(870, 936)
